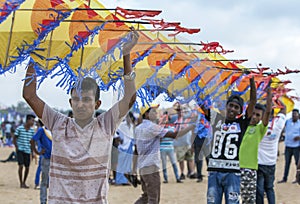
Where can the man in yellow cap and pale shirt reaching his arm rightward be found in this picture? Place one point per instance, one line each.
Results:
(148, 135)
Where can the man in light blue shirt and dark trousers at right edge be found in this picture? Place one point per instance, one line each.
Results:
(291, 141)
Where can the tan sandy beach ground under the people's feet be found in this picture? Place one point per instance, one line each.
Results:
(188, 192)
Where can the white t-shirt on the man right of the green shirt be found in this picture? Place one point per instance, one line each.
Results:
(268, 147)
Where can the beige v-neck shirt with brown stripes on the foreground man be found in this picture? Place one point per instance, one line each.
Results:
(80, 157)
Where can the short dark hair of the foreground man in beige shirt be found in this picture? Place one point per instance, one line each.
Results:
(87, 84)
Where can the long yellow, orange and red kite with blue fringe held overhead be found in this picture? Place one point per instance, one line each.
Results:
(72, 39)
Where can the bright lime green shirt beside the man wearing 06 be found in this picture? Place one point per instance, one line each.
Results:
(248, 153)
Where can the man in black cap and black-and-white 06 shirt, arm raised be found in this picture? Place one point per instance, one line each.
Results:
(228, 131)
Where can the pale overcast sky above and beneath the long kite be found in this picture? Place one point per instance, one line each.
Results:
(264, 31)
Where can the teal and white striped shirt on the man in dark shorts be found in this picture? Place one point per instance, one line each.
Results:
(23, 138)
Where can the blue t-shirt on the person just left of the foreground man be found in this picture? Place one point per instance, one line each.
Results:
(44, 137)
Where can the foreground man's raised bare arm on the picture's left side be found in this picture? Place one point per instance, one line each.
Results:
(29, 92)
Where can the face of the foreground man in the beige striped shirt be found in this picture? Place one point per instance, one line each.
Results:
(83, 106)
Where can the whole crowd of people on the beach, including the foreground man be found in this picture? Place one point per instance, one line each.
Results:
(78, 152)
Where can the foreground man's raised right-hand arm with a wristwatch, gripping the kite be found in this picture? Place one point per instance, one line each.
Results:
(129, 91)
